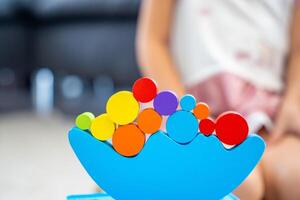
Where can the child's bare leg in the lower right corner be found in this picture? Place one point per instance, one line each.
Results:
(281, 167)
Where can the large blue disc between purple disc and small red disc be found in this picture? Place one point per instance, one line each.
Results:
(182, 126)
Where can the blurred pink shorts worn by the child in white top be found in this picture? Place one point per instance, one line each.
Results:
(225, 91)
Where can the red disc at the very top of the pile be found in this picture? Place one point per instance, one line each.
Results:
(144, 89)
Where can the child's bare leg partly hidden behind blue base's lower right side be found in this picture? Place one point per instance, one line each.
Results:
(253, 187)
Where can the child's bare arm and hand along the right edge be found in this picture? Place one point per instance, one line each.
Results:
(288, 118)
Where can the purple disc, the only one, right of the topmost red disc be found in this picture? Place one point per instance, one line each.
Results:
(165, 103)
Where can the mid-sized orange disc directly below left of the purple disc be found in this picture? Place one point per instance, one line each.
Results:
(149, 121)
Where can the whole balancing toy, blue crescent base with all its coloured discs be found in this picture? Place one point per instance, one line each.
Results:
(171, 150)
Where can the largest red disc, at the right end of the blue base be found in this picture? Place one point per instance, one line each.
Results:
(231, 128)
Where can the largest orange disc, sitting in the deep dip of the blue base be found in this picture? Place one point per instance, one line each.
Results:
(128, 140)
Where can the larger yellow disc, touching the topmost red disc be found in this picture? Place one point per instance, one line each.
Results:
(122, 107)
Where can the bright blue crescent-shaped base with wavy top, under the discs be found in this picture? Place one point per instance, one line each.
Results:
(164, 169)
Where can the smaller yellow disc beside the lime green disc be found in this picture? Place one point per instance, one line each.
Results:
(102, 127)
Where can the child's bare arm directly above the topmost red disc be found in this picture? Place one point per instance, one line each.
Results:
(152, 44)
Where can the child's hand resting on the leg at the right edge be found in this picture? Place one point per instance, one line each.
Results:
(288, 118)
